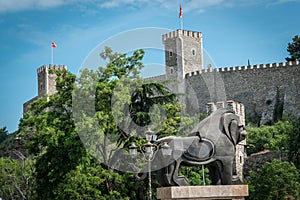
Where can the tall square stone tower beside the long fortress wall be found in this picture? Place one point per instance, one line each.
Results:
(183, 53)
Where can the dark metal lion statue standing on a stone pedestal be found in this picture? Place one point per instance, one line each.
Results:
(212, 143)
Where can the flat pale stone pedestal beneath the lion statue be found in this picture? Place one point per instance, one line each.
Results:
(203, 192)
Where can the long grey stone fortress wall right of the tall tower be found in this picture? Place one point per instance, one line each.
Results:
(266, 90)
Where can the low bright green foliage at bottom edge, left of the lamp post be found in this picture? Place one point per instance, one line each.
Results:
(90, 180)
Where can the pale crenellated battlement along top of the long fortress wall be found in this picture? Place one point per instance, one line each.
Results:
(249, 67)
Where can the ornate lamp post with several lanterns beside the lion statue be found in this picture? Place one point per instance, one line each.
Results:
(149, 150)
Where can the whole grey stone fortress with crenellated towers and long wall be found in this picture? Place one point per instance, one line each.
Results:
(266, 91)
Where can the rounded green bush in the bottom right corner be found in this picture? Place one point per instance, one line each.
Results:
(275, 180)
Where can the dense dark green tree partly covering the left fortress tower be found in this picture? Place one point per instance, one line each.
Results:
(51, 137)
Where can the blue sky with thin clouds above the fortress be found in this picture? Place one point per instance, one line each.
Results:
(233, 32)
